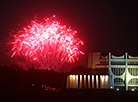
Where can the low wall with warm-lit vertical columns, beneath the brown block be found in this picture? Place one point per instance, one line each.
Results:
(88, 81)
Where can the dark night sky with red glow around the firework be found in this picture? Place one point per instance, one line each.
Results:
(103, 25)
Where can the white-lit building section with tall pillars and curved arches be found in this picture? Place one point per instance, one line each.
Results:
(123, 70)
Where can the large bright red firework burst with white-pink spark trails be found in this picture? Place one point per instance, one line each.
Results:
(47, 44)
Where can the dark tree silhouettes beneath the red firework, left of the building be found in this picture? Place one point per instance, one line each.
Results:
(16, 78)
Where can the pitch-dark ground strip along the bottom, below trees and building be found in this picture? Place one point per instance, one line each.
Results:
(65, 95)
